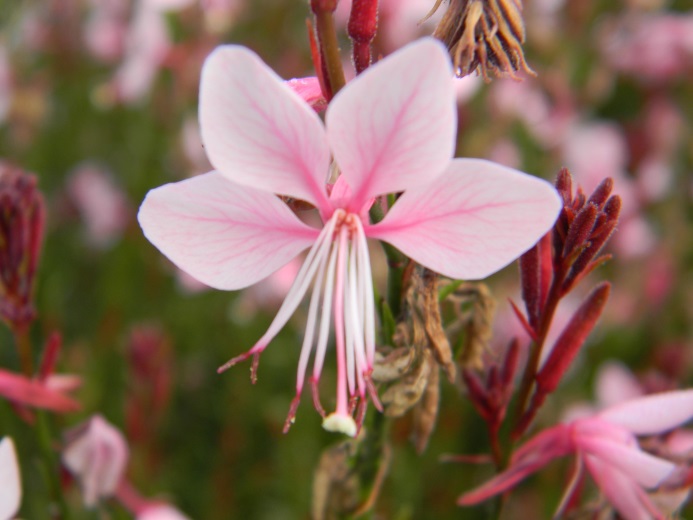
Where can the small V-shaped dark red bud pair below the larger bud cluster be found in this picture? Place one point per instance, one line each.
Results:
(491, 396)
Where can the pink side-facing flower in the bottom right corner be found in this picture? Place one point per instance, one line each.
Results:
(606, 444)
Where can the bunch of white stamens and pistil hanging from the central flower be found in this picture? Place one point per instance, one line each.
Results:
(339, 267)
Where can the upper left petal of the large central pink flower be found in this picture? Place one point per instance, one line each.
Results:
(257, 131)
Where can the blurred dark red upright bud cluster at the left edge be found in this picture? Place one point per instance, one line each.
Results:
(22, 218)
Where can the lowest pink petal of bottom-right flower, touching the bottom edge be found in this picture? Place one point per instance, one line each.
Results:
(621, 491)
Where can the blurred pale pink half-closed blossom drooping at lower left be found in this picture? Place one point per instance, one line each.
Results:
(96, 454)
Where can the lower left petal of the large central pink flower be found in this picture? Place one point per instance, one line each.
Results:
(226, 235)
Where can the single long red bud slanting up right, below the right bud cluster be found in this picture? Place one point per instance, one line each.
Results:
(571, 339)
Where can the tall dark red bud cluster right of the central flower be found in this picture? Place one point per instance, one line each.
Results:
(561, 259)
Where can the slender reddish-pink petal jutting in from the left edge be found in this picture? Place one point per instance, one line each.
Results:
(30, 392)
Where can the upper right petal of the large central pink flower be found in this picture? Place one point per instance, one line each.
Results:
(393, 127)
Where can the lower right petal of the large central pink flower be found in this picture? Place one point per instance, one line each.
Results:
(471, 221)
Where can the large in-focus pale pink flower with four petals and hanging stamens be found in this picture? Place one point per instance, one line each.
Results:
(390, 130)
